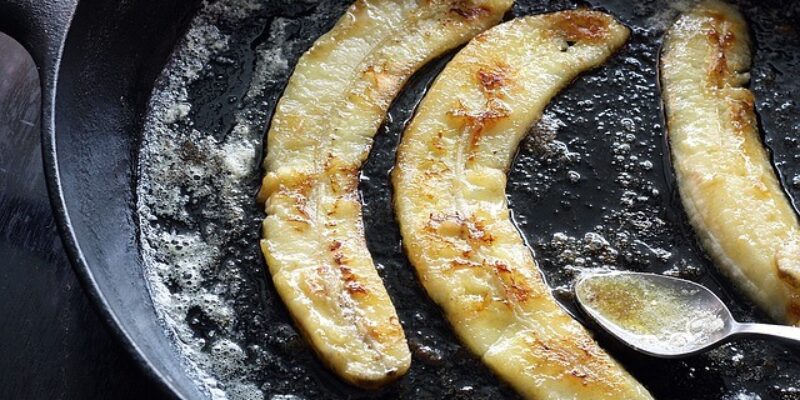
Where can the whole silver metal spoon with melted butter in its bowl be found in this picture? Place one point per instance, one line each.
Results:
(663, 316)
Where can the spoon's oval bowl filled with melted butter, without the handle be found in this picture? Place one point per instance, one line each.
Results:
(654, 315)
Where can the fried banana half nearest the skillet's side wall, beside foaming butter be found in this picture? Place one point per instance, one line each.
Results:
(313, 238)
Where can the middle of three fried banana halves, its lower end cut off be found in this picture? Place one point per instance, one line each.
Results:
(449, 185)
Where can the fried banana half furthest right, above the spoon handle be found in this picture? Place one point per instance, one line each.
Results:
(728, 186)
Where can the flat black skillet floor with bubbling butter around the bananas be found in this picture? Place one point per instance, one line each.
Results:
(591, 188)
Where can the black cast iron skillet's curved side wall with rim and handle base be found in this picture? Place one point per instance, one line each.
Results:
(102, 77)
